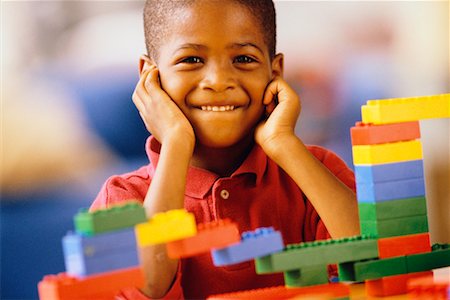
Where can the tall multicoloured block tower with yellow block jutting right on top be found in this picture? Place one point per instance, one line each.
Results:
(390, 186)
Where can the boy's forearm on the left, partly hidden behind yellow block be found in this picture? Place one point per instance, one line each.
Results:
(166, 192)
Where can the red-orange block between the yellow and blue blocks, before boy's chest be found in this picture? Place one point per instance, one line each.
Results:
(217, 234)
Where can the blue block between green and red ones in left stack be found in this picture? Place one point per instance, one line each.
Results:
(87, 255)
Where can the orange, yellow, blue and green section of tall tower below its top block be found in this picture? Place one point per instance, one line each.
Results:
(390, 184)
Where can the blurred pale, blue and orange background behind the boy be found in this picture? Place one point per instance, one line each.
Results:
(68, 70)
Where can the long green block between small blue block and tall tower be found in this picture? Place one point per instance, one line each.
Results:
(298, 256)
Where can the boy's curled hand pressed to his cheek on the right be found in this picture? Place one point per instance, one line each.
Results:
(282, 116)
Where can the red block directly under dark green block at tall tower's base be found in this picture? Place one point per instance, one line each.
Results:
(391, 285)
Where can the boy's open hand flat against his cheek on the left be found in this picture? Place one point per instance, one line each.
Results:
(162, 117)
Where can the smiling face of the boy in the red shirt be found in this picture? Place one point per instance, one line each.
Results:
(215, 66)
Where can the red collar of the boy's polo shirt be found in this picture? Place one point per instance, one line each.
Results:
(200, 181)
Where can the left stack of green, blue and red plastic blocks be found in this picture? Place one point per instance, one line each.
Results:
(100, 257)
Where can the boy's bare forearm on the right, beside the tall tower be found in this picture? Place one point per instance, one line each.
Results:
(334, 201)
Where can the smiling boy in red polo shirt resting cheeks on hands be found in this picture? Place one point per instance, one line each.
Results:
(223, 144)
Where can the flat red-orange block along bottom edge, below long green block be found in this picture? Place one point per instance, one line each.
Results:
(330, 290)
